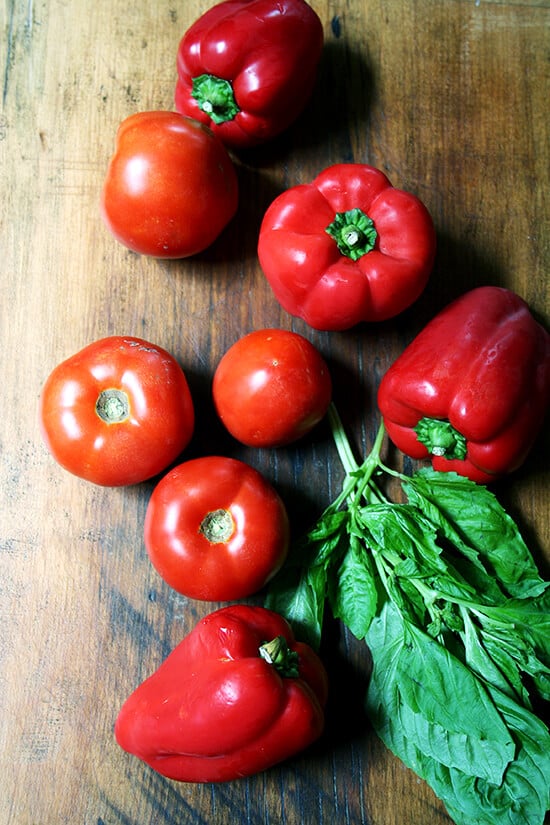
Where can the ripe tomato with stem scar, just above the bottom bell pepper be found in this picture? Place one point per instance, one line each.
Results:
(215, 529)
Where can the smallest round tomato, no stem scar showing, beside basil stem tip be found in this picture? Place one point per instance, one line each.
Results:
(271, 388)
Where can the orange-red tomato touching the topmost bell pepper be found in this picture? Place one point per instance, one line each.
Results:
(170, 187)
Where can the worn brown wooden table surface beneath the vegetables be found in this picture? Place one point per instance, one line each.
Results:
(450, 99)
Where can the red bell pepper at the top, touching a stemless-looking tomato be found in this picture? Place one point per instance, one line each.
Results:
(247, 68)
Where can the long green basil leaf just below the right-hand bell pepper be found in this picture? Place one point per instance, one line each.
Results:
(471, 517)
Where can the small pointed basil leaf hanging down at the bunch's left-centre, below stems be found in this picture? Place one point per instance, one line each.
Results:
(353, 594)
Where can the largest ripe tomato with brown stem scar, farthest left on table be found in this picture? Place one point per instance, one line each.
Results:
(117, 412)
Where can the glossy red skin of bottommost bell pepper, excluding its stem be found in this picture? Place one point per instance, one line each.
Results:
(216, 711)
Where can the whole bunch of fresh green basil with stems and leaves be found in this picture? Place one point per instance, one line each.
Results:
(448, 598)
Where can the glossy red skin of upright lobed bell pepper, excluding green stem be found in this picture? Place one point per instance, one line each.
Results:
(309, 275)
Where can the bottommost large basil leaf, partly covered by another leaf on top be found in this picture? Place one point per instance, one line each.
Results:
(521, 798)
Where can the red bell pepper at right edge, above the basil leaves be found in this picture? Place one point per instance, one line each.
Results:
(472, 388)
